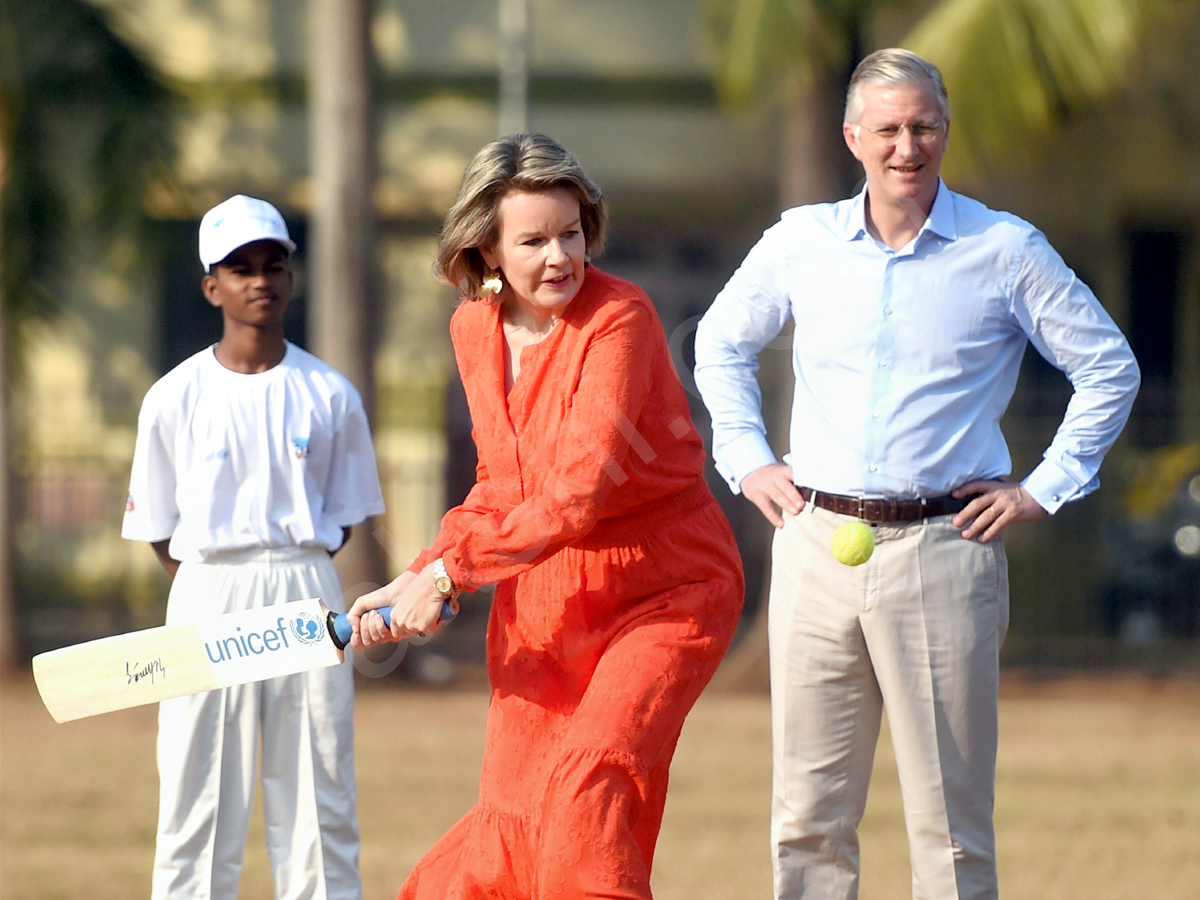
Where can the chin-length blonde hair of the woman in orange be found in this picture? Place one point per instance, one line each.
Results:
(518, 163)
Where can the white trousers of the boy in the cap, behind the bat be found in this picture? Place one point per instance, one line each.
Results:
(208, 749)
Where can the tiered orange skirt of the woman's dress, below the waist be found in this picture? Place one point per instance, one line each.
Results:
(596, 658)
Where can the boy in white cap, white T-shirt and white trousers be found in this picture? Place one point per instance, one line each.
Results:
(254, 459)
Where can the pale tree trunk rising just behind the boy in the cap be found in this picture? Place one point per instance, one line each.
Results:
(343, 235)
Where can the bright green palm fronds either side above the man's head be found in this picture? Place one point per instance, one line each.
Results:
(1015, 69)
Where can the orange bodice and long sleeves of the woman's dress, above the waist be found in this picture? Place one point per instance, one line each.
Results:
(610, 452)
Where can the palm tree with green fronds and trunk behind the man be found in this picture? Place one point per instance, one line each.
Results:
(1015, 69)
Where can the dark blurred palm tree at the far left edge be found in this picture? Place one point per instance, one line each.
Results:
(61, 59)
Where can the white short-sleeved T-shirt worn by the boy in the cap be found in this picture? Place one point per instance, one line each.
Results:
(226, 461)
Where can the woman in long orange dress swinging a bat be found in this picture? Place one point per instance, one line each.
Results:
(619, 584)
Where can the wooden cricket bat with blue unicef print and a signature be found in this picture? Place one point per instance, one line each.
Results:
(170, 662)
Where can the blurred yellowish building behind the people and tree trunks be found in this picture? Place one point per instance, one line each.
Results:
(635, 91)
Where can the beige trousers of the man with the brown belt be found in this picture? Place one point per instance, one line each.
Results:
(916, 631)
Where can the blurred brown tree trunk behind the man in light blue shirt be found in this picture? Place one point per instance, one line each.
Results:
(815, 167)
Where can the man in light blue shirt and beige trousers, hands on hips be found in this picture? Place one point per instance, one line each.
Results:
(913, 307)
